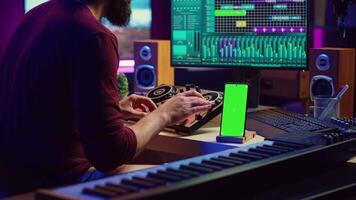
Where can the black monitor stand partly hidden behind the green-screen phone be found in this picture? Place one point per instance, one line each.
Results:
(252, 77)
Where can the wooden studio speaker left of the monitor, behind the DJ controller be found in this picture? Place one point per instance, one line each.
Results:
(152, 65)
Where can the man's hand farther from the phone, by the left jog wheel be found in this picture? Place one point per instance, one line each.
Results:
(136, 107)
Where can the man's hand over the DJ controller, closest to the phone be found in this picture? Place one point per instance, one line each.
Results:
(183, 105)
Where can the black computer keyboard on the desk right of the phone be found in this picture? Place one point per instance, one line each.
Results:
(291, 122)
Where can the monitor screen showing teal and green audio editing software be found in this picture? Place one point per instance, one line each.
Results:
(249, 33)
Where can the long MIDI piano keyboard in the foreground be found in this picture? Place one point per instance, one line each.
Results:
(212, 174)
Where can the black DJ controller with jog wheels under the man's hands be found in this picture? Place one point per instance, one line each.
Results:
(162, 93)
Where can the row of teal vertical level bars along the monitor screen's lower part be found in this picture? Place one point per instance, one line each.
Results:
(255, 51)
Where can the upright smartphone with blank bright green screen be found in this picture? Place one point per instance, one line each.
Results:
(234, 110)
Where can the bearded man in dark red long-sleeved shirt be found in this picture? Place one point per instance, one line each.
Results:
(59, 109)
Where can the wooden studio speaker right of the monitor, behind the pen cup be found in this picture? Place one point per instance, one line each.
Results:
(330, 69)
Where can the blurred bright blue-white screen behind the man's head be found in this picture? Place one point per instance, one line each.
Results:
(139, 27)
